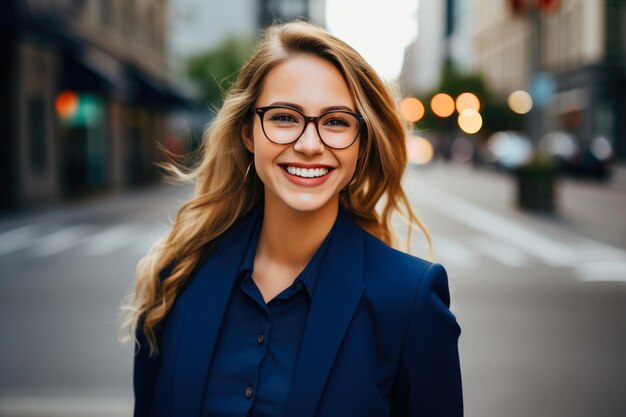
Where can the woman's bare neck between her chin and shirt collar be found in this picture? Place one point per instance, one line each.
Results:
(291, 237)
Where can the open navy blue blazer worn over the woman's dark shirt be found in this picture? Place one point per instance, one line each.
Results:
(380, 339)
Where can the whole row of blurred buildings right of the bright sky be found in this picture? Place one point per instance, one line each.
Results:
(569, 54)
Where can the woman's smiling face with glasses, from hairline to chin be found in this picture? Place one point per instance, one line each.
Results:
(328, 145)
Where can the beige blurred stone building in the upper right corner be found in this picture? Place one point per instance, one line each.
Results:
(570, 54)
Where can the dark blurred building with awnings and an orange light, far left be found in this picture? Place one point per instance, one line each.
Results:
(83, 96)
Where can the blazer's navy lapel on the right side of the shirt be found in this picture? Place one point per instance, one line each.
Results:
(337, 293)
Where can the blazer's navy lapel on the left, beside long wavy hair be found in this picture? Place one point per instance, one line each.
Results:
(206, 298)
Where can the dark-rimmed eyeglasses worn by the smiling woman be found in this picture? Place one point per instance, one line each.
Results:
(283, 125)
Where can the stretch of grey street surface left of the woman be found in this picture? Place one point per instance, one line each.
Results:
(64, 273)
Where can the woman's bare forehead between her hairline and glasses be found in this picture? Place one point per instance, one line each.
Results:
(307, 80)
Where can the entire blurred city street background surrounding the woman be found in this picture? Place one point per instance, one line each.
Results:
(516, 144)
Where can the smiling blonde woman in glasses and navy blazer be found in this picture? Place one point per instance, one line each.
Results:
(277, 291)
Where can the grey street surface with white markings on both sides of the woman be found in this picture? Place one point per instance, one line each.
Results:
(540, 299)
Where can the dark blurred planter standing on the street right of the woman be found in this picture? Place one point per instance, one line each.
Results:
(536, 186)
